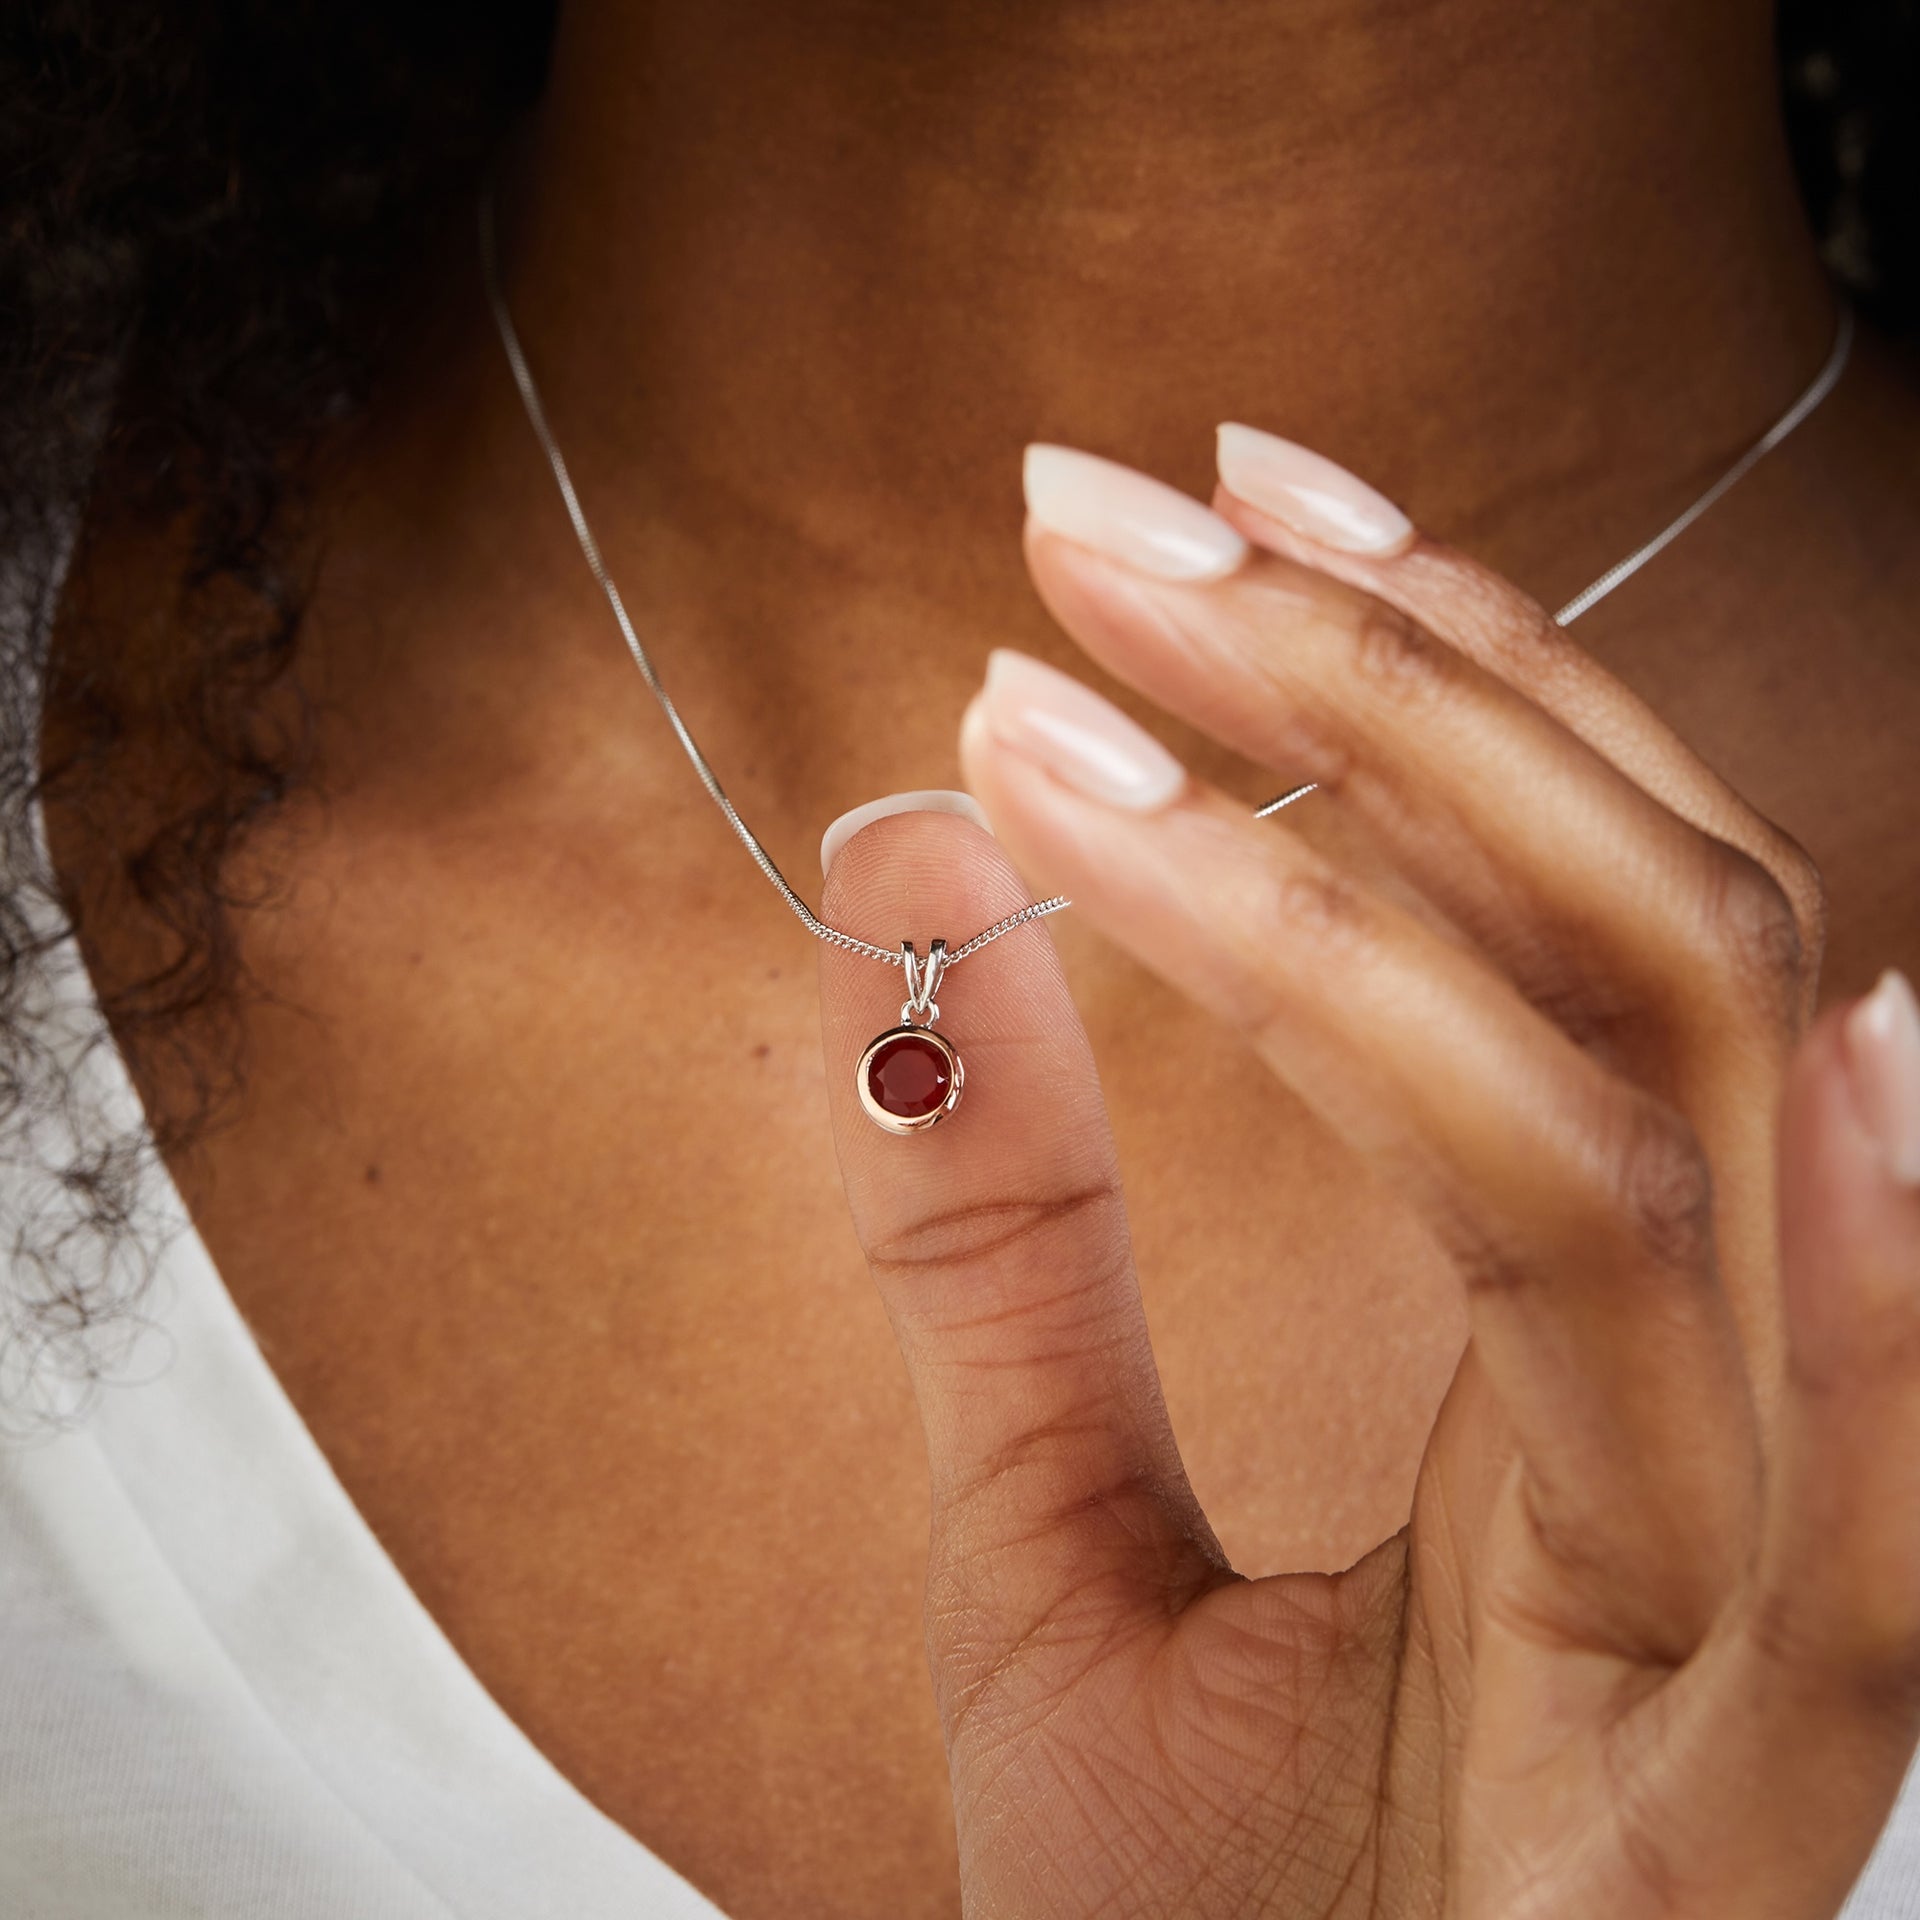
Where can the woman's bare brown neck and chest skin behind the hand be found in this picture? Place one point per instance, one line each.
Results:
(596, 1356)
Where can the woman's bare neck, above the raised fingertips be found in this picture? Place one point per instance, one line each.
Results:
(1531, 268)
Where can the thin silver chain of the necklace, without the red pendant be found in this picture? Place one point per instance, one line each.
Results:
(537, 416)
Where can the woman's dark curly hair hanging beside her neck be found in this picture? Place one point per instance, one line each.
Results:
(206, 206)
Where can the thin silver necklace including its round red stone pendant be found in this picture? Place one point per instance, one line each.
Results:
(909, 1078)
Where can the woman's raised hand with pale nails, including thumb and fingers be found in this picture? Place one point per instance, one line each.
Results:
(1652, 1641)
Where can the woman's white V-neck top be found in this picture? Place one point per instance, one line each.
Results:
(218, 1696)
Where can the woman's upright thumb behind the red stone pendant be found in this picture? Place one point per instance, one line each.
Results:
(999, 1245)
